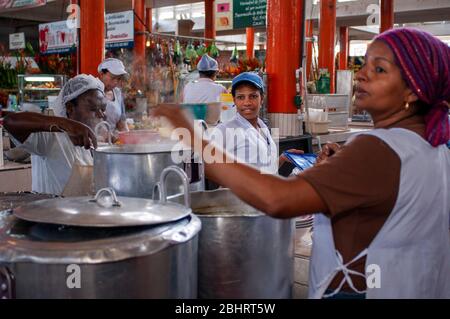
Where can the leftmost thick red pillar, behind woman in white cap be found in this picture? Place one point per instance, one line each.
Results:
(92, 44)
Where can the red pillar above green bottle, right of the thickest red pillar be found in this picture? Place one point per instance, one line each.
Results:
(327, 32)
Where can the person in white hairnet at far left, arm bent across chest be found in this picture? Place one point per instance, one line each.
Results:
(57, 143)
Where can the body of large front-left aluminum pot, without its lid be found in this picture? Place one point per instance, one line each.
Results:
(39, 260)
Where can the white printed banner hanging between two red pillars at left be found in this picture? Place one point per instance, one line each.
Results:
(120, 30)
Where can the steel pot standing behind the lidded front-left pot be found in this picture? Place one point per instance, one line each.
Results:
(133, 170)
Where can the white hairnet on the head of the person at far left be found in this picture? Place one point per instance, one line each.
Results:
(74, 88)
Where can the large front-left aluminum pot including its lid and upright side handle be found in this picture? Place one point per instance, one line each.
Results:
(47, 260)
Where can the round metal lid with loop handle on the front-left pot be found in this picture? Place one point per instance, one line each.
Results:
(105, 210)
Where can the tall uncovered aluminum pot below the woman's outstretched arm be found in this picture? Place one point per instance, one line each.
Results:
(242, 252)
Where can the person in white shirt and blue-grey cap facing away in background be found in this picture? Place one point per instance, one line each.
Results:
(204, 90)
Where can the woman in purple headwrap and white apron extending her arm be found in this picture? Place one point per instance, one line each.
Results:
(384, 197)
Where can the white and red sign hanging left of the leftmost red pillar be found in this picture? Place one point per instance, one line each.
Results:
(56, 37)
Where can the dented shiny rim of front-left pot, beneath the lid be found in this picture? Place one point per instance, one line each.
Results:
(22, 241)
